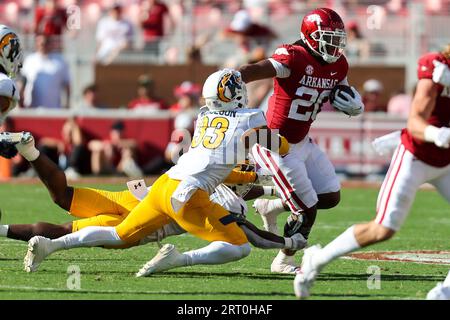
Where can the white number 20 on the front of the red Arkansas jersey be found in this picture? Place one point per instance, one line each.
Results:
(308, 97)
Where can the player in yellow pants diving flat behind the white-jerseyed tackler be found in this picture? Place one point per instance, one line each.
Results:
(105, 208)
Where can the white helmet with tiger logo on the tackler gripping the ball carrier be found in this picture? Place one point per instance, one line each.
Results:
(225, 90)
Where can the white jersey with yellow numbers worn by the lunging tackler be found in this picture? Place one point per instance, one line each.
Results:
(216, 147)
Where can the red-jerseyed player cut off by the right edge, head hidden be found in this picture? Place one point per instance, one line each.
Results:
(422, 156)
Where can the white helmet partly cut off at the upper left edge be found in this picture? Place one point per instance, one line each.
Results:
(11, 55)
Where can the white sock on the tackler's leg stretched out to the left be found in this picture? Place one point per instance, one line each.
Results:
(88, 237)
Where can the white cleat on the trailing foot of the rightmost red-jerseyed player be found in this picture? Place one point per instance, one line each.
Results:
(308, 273)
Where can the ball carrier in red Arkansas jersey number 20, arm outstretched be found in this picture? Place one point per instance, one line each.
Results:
(304, 74)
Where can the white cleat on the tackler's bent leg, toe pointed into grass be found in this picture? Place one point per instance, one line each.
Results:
(167, 258)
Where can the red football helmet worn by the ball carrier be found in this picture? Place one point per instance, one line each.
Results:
(324, 33)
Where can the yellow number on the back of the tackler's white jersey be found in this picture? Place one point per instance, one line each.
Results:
(210, 134)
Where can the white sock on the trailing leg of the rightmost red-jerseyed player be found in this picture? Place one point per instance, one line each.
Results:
(343, 244)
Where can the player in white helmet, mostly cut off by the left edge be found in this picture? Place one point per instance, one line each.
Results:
(11, 59)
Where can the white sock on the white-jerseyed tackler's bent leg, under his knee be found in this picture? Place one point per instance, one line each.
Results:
(217, 252)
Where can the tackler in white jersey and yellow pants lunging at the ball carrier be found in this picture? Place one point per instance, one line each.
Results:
(182, 194)
